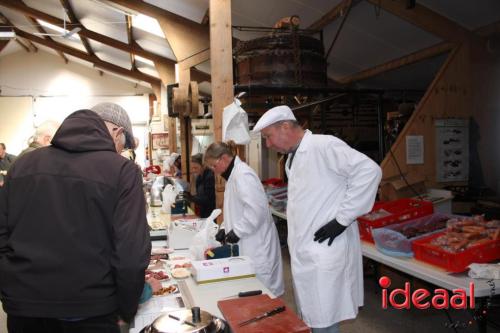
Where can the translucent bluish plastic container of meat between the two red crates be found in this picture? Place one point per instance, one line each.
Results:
(396, 239)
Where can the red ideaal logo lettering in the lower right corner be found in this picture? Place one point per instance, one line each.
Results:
(420, 297)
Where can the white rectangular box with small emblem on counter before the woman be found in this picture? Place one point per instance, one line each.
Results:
(215, 270)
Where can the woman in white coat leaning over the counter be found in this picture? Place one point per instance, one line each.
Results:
(247, 216)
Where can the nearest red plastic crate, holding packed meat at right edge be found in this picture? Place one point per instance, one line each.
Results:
(458, 261)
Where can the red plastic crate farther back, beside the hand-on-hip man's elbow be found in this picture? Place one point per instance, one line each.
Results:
(395, 211)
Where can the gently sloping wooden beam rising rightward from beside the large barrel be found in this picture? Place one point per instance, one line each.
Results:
(400, 62)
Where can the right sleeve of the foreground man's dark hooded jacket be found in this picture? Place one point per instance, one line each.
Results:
(132, 245)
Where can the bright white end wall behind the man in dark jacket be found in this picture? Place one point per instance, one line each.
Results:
(41, 86)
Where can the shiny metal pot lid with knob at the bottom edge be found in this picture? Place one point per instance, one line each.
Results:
(167, 323)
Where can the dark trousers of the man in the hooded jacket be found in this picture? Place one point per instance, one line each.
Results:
(100, 324)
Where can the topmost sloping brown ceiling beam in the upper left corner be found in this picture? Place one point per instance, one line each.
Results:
(136, 49)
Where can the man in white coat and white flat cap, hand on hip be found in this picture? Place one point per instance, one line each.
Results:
(329, 186)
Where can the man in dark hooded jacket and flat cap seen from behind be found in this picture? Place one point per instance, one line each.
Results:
(74, 240)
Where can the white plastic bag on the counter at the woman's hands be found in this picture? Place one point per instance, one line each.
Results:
(205, 237)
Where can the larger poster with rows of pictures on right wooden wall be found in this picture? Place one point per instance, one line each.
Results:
(452, 149)
